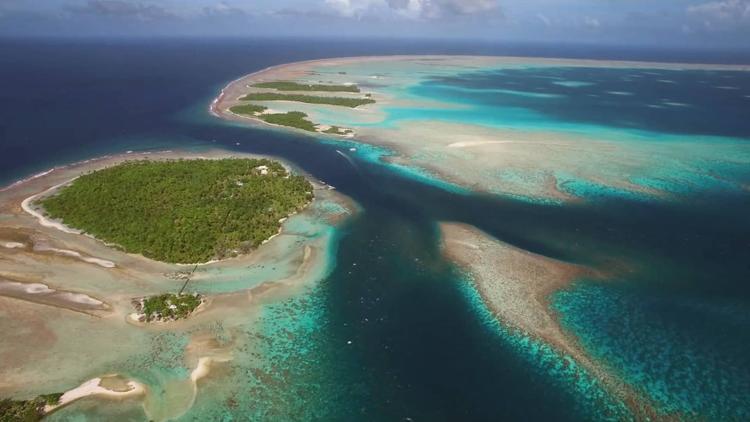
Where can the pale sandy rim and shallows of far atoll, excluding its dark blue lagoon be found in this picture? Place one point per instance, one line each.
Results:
(498, 160)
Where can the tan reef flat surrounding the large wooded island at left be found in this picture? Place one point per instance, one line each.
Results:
(57, 284)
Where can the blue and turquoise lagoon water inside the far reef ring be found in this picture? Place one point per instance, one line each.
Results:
(680, 131)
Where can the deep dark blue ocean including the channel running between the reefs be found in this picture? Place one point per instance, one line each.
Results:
(677, 327)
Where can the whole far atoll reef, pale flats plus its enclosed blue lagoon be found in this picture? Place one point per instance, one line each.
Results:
(499, 124)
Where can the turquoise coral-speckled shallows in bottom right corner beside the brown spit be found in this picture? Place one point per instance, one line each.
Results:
(695, 365)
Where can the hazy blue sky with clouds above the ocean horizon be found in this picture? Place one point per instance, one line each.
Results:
(717, 23)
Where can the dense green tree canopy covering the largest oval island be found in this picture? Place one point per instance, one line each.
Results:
(182, 210)
